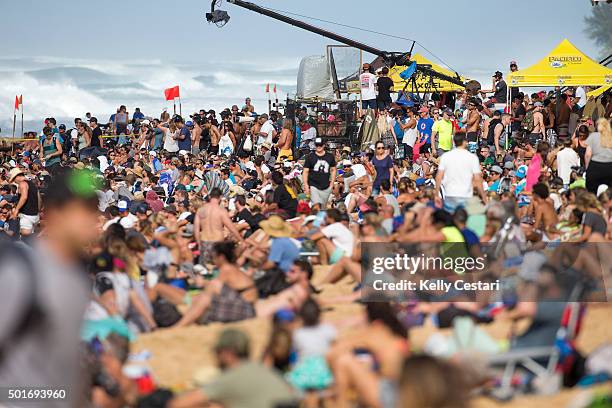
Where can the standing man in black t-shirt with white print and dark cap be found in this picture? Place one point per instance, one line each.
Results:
(319, 174)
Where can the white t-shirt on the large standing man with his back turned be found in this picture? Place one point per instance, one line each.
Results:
(459, 166)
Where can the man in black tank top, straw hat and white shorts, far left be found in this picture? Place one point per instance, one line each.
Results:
(28, 206)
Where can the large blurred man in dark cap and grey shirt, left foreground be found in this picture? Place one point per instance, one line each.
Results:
(44, 292)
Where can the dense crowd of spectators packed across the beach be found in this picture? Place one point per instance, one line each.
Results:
(221, 217)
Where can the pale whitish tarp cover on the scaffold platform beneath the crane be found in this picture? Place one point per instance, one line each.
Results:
(314, 79)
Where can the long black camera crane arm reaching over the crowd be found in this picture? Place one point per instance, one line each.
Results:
(221, 17)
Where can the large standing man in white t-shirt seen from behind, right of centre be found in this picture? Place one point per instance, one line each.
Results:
(459, 172)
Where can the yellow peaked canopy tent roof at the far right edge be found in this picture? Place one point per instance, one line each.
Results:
(565, 65)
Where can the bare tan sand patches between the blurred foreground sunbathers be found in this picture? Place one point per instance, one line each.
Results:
(180, 354)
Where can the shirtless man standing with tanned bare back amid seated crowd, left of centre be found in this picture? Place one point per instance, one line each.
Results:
(209, 223)
